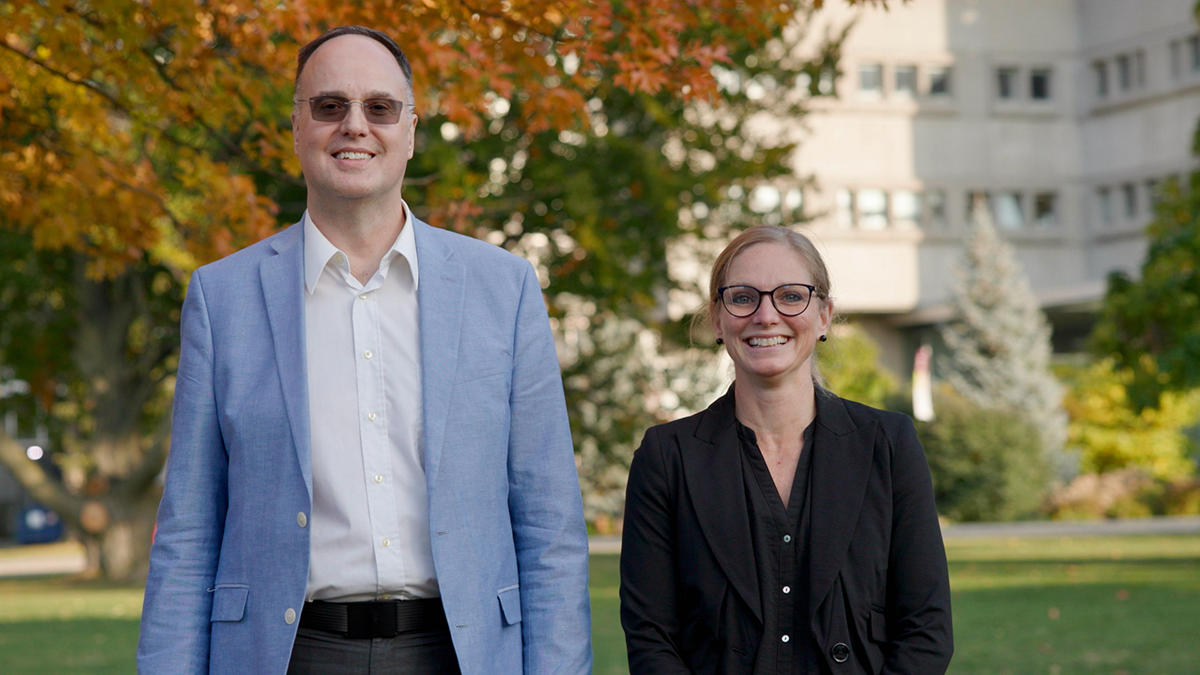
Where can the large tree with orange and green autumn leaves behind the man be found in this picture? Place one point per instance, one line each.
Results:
(140, 140)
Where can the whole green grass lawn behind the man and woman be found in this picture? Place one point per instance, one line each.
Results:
(1053, 607)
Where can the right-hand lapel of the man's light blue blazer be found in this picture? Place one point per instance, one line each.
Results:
(440, 297)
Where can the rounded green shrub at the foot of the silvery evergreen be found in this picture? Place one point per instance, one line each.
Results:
(987, 464)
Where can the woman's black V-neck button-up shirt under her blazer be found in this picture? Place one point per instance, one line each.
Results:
(781, 537)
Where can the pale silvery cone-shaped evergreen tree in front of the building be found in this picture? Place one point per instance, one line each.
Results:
(999, 345)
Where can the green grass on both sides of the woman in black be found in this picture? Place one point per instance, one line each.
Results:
(1036, 607)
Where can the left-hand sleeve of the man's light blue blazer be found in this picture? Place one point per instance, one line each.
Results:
(176, 618)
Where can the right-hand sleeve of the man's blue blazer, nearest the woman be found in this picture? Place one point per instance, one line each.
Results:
(544, 501)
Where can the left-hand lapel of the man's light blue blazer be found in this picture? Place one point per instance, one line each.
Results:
(283, 277)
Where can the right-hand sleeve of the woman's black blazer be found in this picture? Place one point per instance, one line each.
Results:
(919, 604)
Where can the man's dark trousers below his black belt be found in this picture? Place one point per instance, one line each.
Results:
(317, 653)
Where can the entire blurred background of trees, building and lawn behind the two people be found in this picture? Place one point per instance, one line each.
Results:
(1006, 193)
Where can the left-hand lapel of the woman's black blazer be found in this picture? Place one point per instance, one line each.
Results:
(713, 474)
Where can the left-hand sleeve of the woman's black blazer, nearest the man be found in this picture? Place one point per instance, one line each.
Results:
(649, 582)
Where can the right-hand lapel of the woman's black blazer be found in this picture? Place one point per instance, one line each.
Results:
(842, 464)
